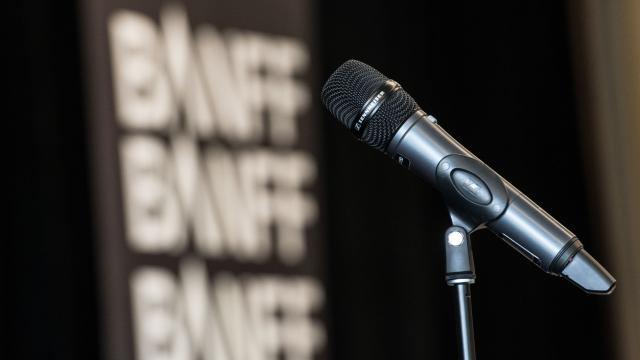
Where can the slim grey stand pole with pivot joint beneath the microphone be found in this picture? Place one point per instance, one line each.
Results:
(461, 273)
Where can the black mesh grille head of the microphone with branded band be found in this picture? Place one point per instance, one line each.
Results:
(367, 102)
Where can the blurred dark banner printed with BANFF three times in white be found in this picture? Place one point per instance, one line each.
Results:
(203, 133)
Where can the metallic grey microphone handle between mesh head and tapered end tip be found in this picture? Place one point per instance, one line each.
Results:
(478, 197)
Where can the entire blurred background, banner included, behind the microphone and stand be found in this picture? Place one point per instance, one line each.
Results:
(177, 191)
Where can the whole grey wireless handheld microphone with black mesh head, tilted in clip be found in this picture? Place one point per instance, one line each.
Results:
(381, 114)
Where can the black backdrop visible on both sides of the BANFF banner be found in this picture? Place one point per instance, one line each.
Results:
(498, 77)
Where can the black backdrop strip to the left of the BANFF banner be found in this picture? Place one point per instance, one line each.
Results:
(49, 295)
